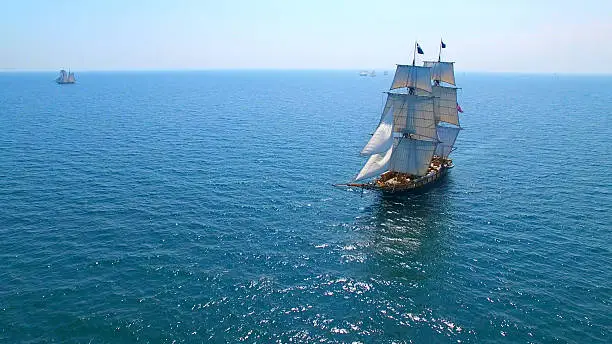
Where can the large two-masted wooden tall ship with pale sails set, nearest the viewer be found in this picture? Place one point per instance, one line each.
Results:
(417, 130)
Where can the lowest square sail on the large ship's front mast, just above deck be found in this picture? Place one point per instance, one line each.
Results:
(412, 156)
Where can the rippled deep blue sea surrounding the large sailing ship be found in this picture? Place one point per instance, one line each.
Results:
(175, 207)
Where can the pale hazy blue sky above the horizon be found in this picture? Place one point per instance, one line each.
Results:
(505, 36)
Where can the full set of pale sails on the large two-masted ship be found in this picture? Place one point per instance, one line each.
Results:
(414, 125)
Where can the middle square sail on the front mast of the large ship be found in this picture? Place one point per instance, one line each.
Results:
(412, 114)
